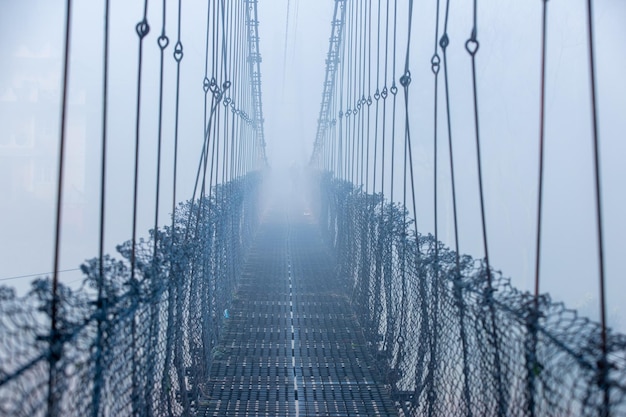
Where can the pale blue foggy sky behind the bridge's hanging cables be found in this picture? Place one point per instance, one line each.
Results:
(31, 33)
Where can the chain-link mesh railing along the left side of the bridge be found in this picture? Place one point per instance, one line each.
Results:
(131, 344)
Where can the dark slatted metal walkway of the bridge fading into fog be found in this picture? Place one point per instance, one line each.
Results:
(292, 346)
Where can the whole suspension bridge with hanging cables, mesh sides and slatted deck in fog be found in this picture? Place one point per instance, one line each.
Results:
(315, 292)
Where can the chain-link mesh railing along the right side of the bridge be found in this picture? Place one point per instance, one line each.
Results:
(449, 343)
